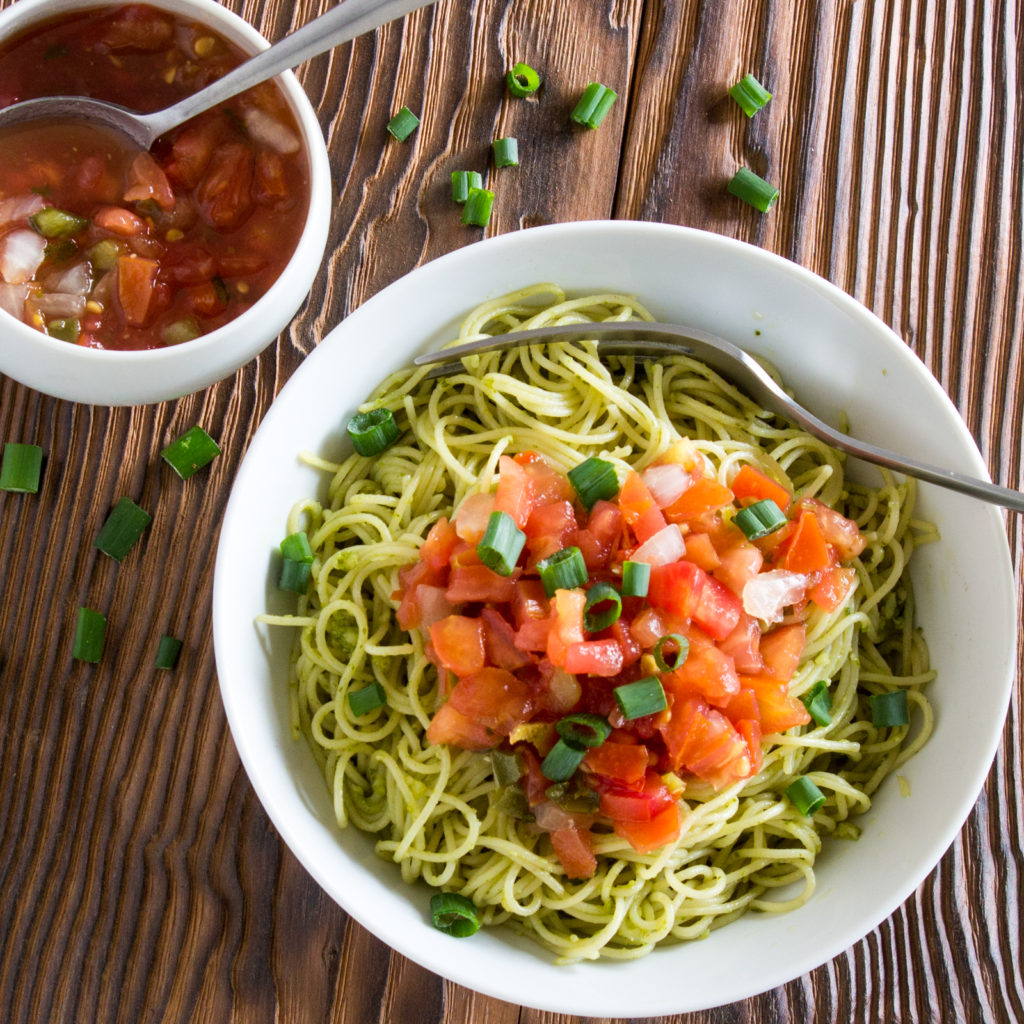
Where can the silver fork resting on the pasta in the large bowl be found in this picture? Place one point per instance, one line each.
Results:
(643, 338)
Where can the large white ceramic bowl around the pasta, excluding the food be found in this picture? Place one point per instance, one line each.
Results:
(837, 356)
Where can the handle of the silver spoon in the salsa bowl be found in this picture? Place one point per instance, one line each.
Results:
(349, 20)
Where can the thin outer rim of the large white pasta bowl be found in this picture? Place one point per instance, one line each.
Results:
(435, 274)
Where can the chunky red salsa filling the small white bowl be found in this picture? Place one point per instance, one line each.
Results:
(109, 247)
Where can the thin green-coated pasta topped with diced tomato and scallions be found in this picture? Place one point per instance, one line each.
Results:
(600, 645)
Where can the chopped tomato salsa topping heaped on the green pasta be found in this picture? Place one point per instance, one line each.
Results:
(612, 641)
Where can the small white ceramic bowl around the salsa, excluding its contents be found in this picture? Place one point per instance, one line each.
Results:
(110, 378)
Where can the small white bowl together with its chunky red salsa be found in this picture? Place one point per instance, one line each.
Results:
(130, 276)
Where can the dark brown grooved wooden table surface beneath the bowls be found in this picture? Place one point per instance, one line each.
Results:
(141, 879)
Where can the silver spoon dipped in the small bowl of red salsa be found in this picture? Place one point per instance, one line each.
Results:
(344, 23)
